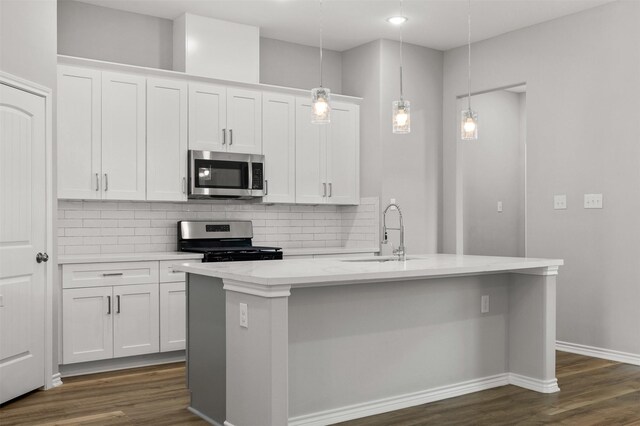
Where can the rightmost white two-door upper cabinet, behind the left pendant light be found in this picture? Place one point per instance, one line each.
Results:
(328, 155)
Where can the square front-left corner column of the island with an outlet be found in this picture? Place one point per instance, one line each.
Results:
(257, 359)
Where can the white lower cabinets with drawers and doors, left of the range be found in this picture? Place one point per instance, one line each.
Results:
(121, 309)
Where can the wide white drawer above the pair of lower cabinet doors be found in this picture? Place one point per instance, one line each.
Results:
(105, 274)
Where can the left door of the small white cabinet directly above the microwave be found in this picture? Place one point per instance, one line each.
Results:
(207, 117)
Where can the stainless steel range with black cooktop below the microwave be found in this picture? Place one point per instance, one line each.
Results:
(222, 241)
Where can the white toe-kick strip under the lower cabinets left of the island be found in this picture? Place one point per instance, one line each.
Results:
(91, 367)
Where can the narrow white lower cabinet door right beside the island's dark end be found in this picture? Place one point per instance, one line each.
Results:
(173, 314)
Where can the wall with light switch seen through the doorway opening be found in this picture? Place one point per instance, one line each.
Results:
(493, 170)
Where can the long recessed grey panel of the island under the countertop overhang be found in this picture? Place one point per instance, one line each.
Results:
(362, 343)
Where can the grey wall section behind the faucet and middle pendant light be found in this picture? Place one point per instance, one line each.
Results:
(404, 167)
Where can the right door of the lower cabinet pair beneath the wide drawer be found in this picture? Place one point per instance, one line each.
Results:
(136, 325)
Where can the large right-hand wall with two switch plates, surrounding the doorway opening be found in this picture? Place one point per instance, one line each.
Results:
(583, 79)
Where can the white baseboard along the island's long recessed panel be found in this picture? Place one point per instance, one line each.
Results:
(398, 402)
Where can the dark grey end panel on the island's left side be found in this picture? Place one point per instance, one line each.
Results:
(206, 346)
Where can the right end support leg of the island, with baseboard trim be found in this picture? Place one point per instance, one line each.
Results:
(532, 330)
